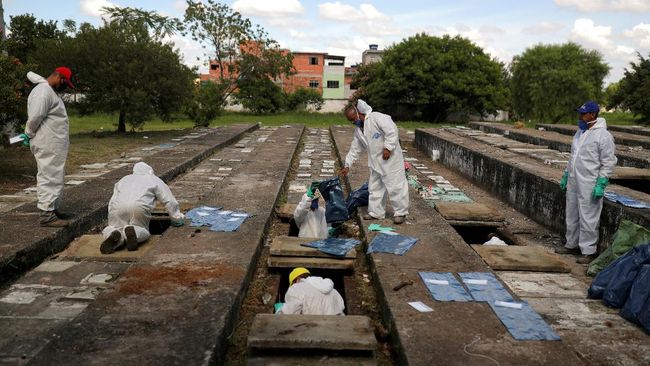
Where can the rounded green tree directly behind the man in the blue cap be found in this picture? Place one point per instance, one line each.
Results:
(549, 81)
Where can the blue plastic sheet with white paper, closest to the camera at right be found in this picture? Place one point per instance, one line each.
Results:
(524, 324)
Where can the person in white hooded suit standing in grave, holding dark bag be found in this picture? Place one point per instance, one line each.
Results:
(310, 216)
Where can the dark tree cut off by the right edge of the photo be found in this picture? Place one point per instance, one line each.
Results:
(634, 90)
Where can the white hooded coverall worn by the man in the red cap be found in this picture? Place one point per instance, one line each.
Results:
(47, 128)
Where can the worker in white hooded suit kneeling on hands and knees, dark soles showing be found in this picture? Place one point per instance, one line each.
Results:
(129, 210)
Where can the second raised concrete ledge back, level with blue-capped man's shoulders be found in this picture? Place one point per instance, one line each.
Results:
(560, 142)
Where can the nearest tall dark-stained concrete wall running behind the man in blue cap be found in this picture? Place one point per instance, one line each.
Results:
(528, 185)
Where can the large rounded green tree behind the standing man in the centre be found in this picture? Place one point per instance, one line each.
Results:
(426, 77)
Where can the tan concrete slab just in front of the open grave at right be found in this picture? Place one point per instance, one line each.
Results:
(521, 258)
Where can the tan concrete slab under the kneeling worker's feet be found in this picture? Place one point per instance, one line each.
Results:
(87, 247)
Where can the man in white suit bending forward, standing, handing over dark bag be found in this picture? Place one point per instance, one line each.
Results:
(377, 133)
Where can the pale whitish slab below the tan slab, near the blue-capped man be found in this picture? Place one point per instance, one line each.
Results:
(526, 284)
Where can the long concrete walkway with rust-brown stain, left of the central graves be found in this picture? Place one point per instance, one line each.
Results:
(180, 304)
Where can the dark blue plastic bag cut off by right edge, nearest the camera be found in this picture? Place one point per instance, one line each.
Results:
(637, 306)
